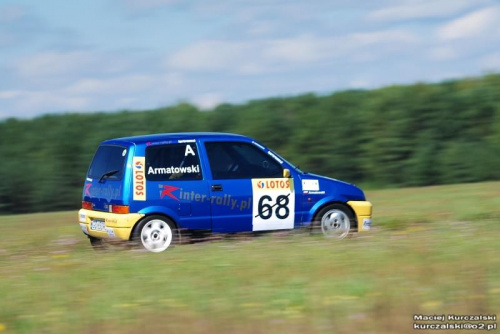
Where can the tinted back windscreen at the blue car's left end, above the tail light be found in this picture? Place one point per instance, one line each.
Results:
(108, 158)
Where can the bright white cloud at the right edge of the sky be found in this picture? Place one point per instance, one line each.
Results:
(472, 25)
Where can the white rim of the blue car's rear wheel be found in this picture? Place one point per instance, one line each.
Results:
(156, 235)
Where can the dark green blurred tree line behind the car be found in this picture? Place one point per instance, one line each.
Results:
(414, 135)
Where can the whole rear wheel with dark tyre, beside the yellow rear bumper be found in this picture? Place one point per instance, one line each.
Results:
(156, 234)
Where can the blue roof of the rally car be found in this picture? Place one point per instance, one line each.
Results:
(177, 136)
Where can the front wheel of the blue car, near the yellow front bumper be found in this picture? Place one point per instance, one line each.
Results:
(334, 221)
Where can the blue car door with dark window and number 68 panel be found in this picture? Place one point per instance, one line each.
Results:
(247, 188)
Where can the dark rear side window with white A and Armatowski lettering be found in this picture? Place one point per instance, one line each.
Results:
(173, 162)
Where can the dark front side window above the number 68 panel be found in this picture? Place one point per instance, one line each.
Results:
(235, 160)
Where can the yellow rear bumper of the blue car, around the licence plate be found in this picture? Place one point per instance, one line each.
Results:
(117, 226)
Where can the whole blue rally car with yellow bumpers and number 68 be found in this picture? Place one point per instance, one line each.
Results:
(147, 189)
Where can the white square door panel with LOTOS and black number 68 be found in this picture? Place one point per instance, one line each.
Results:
(273, 204)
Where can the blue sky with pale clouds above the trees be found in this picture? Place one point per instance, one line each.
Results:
(107, 55)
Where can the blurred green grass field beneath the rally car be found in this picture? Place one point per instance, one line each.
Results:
(433, 250)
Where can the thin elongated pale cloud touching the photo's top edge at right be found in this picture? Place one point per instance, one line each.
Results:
(422, 10)
